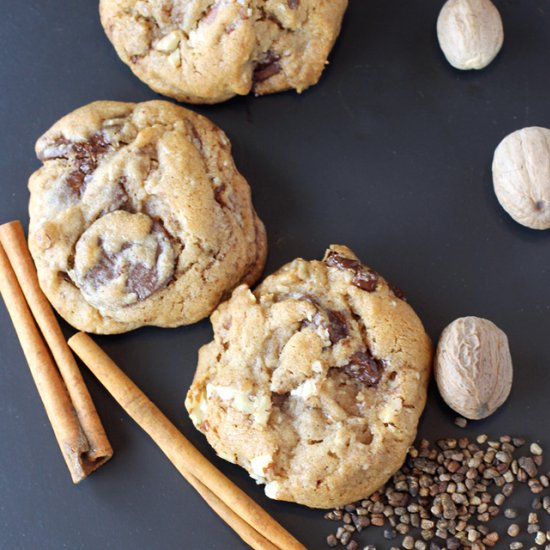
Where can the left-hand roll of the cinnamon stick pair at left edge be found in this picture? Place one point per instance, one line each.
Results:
(70, 437)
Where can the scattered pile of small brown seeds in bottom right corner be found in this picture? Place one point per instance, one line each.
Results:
(446, 494)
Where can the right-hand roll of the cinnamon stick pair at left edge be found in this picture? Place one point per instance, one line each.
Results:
(99, 449)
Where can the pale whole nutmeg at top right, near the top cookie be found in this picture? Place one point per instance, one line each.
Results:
(470, 33)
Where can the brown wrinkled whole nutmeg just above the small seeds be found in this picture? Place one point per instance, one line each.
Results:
(473, 367)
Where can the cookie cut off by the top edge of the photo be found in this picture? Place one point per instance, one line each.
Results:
(205, 51)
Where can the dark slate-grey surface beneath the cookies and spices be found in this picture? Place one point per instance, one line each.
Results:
(390, 154)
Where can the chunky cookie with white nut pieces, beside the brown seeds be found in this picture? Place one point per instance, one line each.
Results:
(315, 381)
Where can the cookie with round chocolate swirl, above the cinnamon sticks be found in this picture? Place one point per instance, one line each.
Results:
(139, 216)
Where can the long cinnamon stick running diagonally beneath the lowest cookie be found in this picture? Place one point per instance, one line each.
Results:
(189, 462)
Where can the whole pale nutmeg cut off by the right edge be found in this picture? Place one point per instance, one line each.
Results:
(521, 176)
